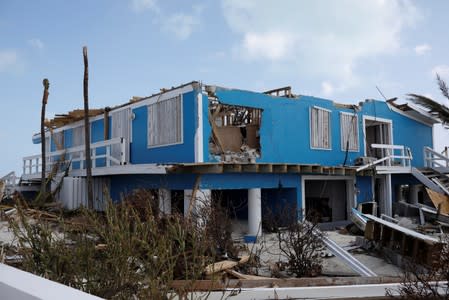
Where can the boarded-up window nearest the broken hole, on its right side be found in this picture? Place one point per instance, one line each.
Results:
(320, 128)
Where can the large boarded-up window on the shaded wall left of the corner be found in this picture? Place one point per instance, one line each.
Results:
(165, 122)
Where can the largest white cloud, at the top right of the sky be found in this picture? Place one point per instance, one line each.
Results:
(318, 38)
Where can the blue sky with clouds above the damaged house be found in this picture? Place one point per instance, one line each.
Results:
(339, 50)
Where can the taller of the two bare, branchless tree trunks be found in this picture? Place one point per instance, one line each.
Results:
(90, 196)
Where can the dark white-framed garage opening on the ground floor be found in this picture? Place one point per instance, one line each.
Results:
(326, 200)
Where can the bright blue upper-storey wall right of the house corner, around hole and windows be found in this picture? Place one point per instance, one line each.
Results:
(285, 130)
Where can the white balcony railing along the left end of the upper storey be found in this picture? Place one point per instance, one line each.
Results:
(103, 154)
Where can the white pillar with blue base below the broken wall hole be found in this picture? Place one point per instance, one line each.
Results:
(254, 215)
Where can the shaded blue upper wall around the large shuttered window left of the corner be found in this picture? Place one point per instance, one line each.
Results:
(184, 152)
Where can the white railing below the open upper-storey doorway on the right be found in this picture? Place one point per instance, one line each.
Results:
(392, 156)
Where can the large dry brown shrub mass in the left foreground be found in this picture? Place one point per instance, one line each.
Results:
(126, 251)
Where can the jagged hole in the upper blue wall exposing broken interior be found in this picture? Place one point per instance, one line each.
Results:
(235, 132)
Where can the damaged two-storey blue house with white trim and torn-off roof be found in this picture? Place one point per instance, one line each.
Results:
(249, 150)
